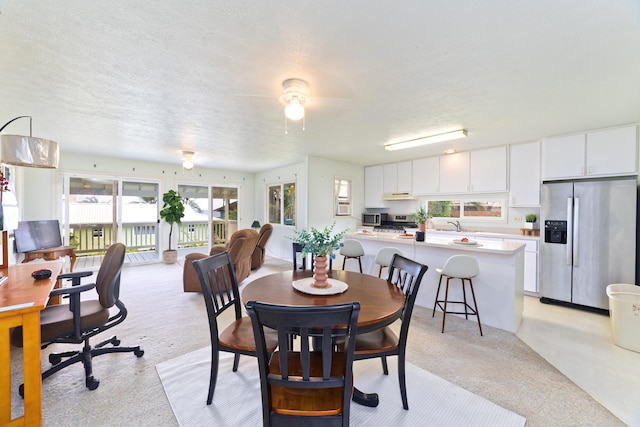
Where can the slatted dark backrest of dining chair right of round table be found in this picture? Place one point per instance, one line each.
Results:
(407, 275)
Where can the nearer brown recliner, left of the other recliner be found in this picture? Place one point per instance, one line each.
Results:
(240, 246)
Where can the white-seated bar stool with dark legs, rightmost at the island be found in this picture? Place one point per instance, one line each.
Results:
(463, 267)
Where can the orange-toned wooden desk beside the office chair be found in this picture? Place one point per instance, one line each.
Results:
(21, 300)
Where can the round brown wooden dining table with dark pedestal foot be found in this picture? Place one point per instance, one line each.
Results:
(380, 301)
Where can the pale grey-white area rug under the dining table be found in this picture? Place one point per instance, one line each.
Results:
(236, 401)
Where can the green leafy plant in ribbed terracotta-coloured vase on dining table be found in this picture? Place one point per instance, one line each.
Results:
(321, 245)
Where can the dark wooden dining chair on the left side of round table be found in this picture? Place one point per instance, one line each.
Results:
(220, 290)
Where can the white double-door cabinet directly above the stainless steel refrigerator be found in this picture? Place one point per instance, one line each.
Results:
(605, 152)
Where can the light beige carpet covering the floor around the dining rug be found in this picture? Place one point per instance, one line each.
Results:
(168, 323)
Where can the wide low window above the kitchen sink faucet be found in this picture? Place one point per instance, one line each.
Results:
(492, 209)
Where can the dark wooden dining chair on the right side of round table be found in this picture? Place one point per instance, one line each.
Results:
(407, 275)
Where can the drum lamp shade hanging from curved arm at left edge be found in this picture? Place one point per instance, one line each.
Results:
(28, 151)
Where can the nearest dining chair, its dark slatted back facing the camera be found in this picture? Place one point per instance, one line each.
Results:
(313, 385)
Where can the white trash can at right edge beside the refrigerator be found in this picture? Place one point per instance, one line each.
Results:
(624, 310)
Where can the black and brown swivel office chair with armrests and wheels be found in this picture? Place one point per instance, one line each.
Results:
(78, 321)
